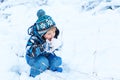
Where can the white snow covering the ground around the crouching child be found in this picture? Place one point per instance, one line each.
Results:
(91, 40)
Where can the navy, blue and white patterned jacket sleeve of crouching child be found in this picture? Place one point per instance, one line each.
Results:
(34, 48)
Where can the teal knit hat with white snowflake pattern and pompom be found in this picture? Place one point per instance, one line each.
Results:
(44, 22)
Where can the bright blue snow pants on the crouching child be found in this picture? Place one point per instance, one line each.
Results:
(44, 62)
